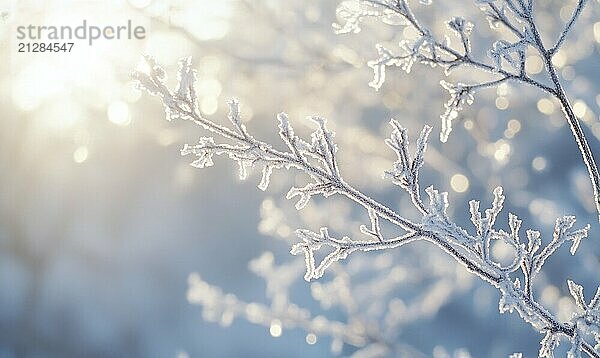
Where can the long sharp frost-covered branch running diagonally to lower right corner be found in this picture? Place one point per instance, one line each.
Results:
(317, 159)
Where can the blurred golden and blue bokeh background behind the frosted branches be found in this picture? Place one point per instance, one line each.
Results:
(102, 222)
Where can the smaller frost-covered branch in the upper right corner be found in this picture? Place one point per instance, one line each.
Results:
(509, 58)
